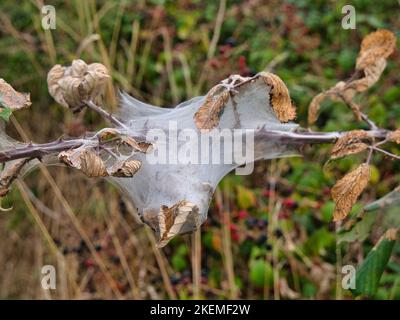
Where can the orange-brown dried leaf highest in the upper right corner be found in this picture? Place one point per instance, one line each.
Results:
(376, 45)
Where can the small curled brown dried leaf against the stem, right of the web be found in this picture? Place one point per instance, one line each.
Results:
(353, 142)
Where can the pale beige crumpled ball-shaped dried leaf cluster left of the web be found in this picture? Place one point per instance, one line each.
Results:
(71, 86)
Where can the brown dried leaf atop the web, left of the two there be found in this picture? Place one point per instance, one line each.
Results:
(208, 115)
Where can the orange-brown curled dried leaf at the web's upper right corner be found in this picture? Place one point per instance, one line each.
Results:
(279, 96)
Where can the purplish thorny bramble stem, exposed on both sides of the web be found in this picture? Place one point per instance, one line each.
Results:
(32, 150)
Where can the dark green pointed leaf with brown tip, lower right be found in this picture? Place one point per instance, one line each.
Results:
(371, 270)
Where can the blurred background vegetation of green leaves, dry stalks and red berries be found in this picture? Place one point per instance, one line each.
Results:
(269, 235)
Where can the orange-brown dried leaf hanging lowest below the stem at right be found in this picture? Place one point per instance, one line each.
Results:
(347, 190)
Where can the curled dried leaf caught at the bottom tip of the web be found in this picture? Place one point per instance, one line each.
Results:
(171, 220)
